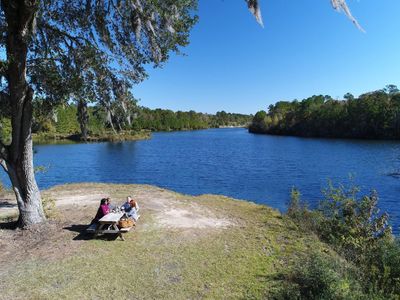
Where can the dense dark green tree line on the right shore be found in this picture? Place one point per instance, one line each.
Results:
(374, 115)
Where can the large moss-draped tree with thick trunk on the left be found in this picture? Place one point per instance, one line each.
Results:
(69, 49)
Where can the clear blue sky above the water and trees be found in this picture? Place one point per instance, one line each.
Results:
(306, 48)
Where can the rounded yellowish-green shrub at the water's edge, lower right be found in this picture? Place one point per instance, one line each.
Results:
(354, 225)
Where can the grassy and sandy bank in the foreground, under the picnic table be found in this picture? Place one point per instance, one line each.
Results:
(183, 247)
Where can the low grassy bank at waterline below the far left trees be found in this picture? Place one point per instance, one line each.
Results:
(44, 138)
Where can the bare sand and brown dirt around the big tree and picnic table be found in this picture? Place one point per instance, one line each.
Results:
(76, 205)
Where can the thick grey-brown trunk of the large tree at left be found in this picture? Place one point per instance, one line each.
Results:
(17, 158)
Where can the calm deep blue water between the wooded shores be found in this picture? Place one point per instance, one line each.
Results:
(231, 162)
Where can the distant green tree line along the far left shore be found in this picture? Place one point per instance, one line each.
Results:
(66, 120)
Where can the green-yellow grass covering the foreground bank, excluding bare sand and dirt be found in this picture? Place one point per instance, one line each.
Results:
(244, 261)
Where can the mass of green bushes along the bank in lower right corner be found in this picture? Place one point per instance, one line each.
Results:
(354, 227)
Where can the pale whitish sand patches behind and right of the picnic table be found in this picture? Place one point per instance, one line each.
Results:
(170, 211)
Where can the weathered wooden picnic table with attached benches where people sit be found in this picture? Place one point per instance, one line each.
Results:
(109, 224)
